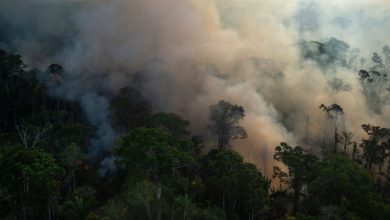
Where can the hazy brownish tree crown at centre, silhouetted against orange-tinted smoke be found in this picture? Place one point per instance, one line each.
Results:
(225, 119)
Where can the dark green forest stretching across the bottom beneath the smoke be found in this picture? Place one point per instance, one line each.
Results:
(162, 171)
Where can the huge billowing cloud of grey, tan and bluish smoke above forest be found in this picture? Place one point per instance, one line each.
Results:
(193, 53)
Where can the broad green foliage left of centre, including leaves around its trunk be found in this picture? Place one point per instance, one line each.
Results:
(146, 153)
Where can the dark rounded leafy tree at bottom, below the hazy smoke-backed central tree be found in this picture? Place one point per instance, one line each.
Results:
(235, 186)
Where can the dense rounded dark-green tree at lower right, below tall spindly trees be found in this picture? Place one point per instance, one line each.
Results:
(340, 184)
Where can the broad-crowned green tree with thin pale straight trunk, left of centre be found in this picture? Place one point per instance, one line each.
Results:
(147, 153)
